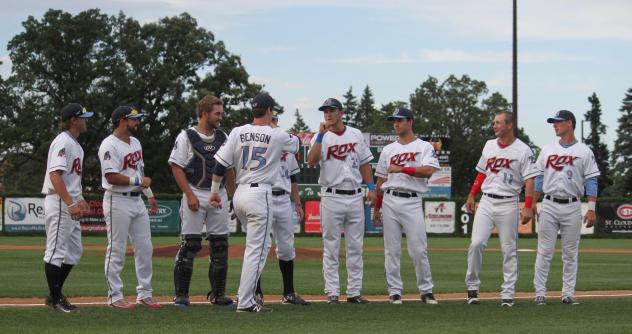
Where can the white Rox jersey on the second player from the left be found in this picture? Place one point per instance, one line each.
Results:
(117, 156)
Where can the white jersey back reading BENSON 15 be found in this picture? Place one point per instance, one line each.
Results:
(255, 152)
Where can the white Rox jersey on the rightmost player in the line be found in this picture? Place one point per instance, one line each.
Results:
(566, 168)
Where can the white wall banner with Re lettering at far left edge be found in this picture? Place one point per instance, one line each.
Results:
(24, 214)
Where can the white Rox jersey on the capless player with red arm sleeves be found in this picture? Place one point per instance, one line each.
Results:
(506, 168)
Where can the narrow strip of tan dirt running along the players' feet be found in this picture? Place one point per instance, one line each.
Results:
(276, 299)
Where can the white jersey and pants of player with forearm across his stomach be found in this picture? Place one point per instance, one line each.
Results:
(402, 211)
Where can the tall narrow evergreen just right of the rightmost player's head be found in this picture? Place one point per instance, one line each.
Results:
(594, 141)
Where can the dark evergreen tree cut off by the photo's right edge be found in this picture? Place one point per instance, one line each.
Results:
(622, 153)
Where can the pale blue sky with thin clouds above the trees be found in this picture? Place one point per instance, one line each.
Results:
(304, 51)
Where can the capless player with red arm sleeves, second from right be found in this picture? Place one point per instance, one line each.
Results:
(506, 165)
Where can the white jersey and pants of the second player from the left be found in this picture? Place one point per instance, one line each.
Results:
(125, 216)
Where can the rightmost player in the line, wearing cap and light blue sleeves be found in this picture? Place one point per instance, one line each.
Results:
(568, 171)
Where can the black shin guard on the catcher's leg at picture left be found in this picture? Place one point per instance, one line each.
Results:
(190, 246)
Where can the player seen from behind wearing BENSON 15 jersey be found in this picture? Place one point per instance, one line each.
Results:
(254, 150)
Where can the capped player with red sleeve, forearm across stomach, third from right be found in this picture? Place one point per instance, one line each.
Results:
(402, 171)
